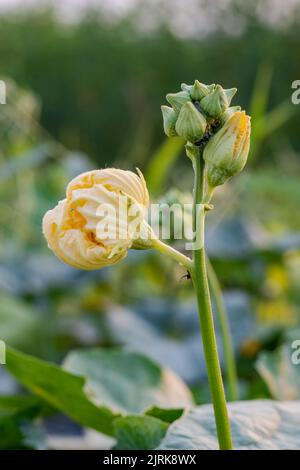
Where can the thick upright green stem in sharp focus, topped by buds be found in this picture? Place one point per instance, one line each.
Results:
(199, 276)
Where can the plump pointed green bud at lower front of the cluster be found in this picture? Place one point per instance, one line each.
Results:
(190, 124)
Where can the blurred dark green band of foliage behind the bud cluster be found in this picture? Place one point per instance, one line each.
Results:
(101, 82)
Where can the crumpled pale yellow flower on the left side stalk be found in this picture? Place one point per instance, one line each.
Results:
(73, 228)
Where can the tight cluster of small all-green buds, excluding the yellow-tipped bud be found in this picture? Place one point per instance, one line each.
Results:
(195, 109)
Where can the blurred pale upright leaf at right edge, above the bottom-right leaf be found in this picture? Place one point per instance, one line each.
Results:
(280, 374)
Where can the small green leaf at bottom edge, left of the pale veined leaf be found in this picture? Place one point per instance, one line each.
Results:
(139, 432)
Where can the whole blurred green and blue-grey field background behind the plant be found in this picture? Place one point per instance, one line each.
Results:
(84, 82)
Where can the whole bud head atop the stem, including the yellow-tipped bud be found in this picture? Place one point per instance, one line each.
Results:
(213, 129)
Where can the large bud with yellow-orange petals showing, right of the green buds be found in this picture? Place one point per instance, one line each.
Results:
(227, 151)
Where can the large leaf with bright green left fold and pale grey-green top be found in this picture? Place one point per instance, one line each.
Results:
(99, 385)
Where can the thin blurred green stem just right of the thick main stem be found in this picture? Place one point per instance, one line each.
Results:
(225, 330)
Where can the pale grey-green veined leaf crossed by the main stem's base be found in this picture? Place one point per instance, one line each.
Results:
(261, 424)
